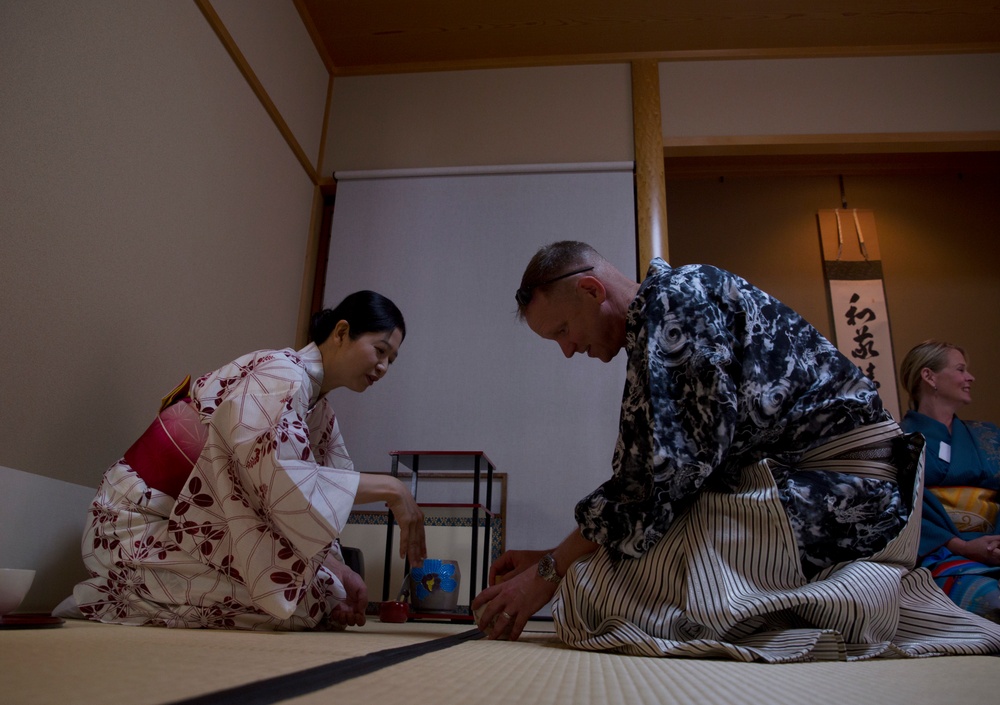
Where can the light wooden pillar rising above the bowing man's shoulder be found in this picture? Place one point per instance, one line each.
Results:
(650, 184)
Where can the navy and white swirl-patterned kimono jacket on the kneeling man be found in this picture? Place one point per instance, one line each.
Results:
(721, 375)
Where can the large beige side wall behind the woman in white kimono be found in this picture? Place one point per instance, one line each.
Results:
(154, 219)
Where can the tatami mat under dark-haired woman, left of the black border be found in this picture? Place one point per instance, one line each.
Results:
(86, 662)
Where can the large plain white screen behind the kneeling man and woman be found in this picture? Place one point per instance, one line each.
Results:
(449, 247)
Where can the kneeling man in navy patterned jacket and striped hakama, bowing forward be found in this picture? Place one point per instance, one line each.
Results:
(761, 498)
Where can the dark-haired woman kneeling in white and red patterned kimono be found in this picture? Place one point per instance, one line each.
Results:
(226, 512)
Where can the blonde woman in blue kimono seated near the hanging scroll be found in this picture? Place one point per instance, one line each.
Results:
(958, 538)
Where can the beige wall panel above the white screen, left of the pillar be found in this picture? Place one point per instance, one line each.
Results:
(547, 115)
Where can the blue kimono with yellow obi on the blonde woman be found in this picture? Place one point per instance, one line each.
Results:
(961, 499)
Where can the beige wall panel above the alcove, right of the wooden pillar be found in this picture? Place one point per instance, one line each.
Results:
(890, 94)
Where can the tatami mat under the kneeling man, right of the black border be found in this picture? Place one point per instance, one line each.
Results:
(544, 673)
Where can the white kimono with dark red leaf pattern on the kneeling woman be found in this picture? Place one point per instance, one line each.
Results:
(242, 545)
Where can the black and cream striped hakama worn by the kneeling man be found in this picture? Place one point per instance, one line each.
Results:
(726, 581)
